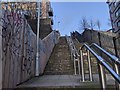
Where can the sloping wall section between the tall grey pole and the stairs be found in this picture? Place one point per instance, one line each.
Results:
(46, 46)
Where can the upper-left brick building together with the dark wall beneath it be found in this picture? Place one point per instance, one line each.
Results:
(30, 11)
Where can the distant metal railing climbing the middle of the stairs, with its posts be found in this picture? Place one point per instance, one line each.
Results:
(74, 54)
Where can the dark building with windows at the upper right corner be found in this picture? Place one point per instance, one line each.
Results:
(114, 10)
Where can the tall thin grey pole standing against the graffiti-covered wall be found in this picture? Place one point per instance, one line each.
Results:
(37, 53)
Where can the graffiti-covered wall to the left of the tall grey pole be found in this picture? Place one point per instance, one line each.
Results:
(18, 49)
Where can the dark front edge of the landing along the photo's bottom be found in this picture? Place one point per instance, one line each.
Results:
(91, 87)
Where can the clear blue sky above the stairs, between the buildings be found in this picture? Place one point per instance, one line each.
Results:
(69, 15)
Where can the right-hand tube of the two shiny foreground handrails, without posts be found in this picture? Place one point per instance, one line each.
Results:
(113, 57)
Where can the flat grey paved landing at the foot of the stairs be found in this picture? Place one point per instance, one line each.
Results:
(64, 82)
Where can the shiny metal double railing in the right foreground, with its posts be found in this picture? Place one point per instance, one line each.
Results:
(101, 63)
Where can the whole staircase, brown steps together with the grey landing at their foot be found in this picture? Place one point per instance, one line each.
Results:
(59, 73)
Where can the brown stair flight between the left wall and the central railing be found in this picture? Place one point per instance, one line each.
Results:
(60, 62)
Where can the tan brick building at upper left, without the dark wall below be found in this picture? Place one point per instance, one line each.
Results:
(30, 9)
